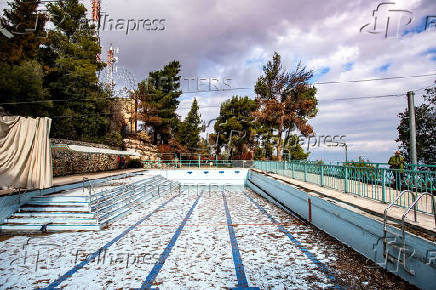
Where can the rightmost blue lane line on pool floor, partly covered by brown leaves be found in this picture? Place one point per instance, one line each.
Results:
(306, 252)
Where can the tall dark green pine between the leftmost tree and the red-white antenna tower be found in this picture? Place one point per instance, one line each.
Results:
(69, 58)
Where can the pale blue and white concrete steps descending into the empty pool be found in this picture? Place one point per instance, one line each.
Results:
(59, 212)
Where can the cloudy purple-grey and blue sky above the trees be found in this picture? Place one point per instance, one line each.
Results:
(234, 39)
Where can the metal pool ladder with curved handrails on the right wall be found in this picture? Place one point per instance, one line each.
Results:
(400, 246)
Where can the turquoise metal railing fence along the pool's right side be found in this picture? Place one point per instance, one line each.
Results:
(381, 184)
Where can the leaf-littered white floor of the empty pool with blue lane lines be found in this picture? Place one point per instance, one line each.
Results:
(198, 241)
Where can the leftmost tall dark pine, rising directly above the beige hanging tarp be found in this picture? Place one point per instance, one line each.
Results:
(21, 76)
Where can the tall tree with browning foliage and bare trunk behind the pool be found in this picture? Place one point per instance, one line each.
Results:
(286, 100)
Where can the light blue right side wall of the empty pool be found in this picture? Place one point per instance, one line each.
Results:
(353, 228)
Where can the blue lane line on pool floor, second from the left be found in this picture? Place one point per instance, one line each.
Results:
(159, 264)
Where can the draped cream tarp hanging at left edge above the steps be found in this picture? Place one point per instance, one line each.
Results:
(25, 157)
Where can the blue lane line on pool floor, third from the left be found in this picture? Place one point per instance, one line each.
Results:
(239, 266)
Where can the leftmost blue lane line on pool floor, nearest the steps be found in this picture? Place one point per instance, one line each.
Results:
(89, 258)
